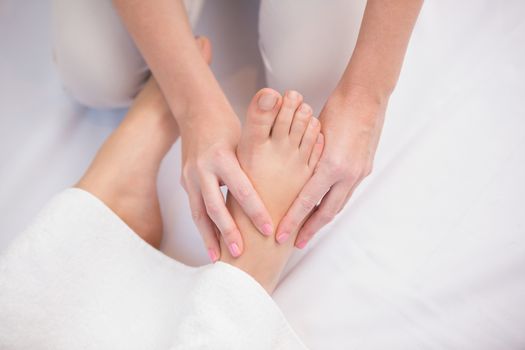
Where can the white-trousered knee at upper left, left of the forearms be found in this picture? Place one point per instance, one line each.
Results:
(96, 58)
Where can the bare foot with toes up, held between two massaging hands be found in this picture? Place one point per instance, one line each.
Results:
(279, 149)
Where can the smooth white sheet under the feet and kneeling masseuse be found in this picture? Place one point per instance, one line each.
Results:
(430, 252)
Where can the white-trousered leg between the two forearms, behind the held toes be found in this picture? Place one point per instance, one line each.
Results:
(306, 45)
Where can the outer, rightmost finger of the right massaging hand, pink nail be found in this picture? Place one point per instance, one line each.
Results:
(327, 210)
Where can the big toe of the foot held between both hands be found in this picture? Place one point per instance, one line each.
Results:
(261, 115)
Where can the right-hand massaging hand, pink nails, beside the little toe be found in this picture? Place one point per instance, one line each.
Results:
(351, 124)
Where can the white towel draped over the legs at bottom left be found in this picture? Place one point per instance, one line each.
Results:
(79, 278)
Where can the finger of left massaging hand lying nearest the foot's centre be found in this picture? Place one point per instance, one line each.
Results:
(242, 190)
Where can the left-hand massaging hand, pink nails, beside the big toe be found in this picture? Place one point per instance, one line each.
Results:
(209, 140)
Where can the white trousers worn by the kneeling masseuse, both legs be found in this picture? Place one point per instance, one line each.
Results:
(305, 45)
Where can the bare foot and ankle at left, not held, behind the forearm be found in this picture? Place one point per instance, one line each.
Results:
(124, 172)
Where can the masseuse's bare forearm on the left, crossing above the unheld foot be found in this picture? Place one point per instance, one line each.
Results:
(161, 31)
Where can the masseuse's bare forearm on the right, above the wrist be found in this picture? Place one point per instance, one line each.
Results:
(378, 56)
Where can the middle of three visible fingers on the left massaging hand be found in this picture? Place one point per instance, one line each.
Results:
(219, 214)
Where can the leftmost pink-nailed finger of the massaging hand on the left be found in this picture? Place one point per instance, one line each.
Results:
(204, 223)
